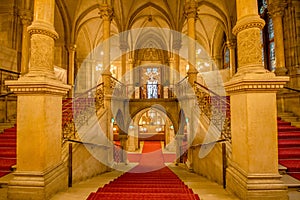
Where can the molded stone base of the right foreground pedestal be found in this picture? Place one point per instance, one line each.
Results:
(255, 186)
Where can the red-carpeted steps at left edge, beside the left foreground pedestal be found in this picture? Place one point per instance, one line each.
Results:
(7, 150)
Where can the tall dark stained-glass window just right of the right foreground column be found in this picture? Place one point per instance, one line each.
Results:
(267, 37)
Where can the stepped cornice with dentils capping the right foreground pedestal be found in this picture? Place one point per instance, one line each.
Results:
(260, 84)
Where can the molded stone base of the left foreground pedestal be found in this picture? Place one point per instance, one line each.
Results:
(38, 185)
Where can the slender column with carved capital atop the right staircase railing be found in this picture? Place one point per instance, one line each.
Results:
(191, 12)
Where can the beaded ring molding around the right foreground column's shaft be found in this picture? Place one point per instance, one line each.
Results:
(248, 22)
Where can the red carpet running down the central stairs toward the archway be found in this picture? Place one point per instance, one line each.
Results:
(151, 179)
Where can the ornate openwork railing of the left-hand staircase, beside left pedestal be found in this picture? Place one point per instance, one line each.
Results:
(77, 111)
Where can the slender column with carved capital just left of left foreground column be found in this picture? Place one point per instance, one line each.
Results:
(26, 19)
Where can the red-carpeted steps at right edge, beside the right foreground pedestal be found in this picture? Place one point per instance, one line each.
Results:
(289, 147)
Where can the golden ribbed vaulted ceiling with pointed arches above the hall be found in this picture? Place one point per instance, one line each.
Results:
(78, 22)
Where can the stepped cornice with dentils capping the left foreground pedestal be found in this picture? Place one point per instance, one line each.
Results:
(37, 87)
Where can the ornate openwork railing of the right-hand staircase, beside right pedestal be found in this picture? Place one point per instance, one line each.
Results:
(215, 107)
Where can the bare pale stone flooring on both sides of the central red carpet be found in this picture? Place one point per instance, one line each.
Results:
(206, 189)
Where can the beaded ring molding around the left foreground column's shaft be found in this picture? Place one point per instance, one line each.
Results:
(38, 27)
